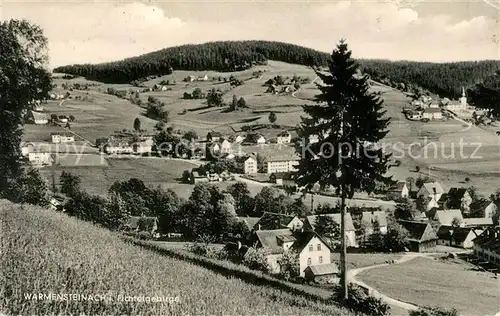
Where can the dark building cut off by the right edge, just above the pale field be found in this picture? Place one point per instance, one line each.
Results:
(487, 246)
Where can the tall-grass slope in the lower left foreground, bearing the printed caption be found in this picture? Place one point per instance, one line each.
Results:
(47, 252)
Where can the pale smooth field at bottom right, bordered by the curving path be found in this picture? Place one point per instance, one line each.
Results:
(424, 281)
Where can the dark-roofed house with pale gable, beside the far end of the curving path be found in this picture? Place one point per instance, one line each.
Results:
(422, 236)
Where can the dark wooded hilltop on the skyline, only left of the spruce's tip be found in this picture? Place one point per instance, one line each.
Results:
(219, 56)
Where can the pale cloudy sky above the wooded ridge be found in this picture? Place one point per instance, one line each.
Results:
(433, 30)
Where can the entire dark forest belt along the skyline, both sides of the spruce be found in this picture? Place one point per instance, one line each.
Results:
(445, 79)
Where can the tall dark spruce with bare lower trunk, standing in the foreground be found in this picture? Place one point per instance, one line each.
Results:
(345, 122)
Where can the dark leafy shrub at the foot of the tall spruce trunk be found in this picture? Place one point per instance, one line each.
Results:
(360, 302)
